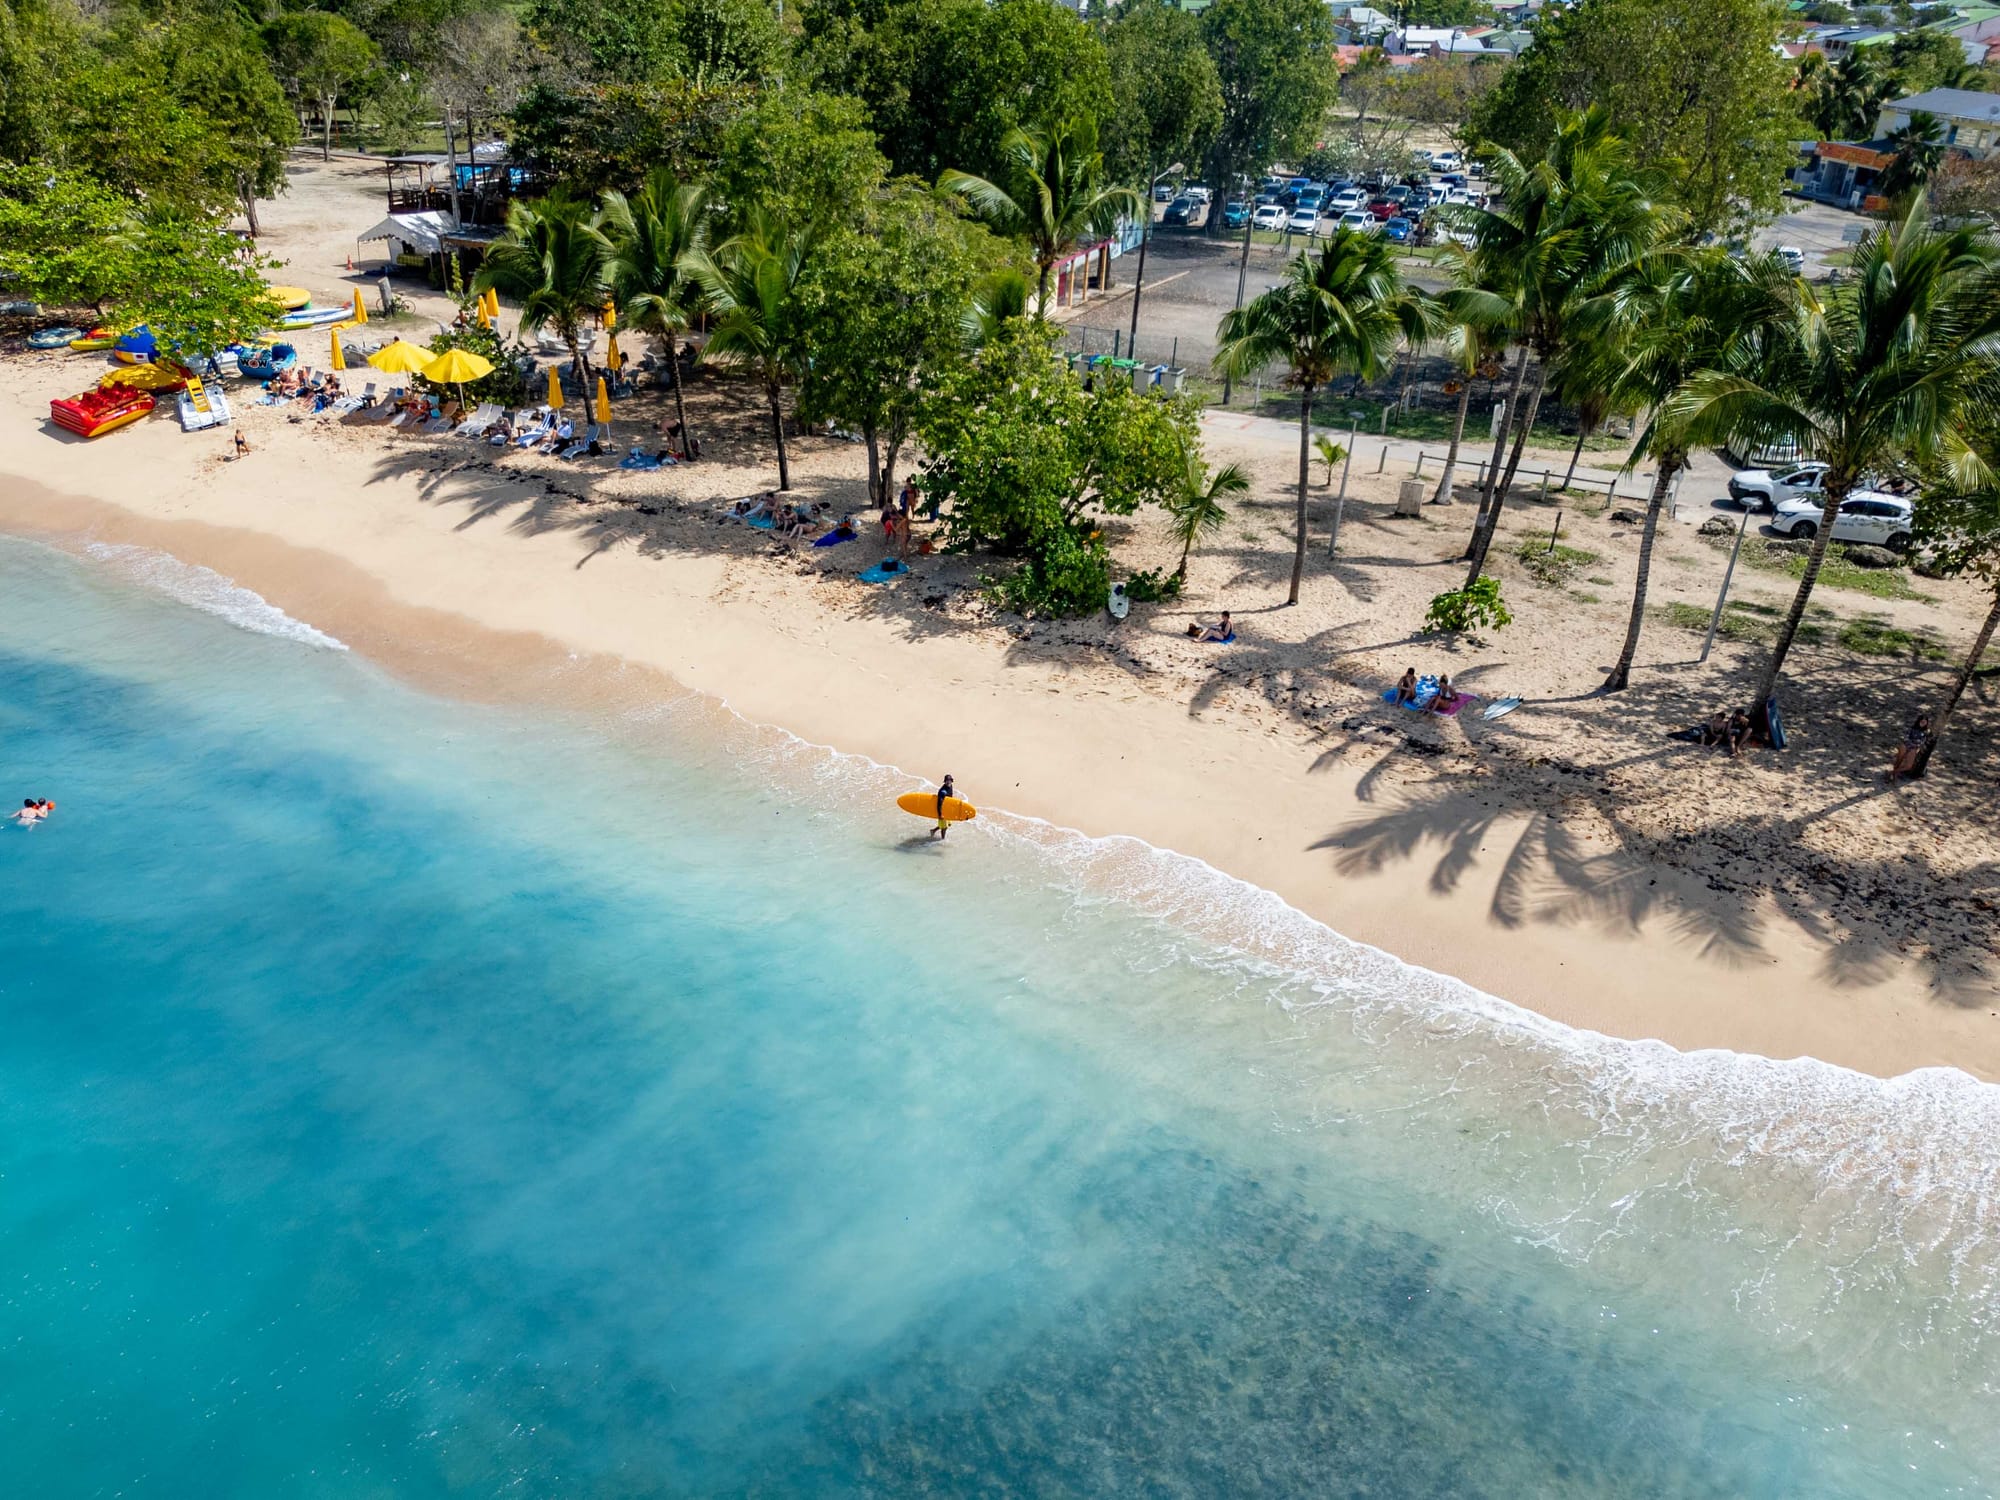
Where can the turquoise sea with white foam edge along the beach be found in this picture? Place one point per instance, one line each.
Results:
(411, 1099)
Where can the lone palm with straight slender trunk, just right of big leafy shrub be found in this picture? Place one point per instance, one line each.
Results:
(1341, 313)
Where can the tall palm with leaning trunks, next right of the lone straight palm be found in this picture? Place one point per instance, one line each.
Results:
(1565, 229)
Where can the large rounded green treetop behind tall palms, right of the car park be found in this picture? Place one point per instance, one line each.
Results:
(1699, 87)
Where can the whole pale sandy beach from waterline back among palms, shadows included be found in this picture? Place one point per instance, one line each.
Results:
(1569, 859)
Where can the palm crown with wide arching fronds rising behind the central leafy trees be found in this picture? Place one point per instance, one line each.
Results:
(1053, 195)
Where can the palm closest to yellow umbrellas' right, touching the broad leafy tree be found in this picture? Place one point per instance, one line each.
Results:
(747, 283)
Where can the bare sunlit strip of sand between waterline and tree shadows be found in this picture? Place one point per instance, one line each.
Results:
(495, 611)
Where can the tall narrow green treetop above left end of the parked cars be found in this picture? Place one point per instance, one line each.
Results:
(1277, 69)
